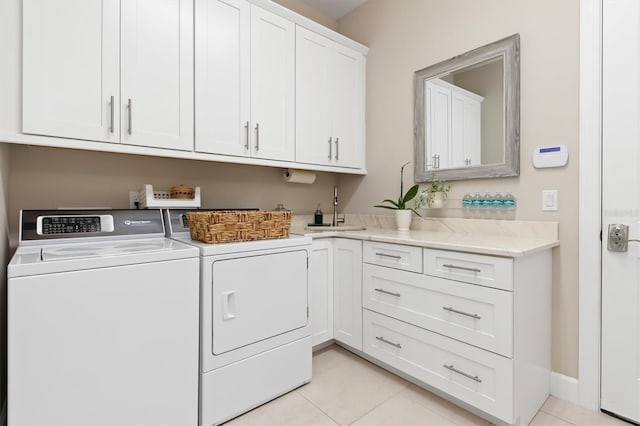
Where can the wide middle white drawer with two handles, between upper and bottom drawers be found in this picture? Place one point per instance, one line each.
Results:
(476, 315)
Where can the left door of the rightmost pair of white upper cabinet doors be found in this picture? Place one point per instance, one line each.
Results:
(314, 140)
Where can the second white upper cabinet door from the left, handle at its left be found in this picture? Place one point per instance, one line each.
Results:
(157, 73)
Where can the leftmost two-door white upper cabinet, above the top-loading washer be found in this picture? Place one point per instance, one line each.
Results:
(109, 71)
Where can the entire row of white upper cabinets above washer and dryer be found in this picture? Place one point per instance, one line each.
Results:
(218, 80)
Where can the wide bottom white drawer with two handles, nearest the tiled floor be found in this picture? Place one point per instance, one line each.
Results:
(477, 377)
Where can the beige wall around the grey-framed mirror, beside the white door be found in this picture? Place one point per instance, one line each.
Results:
(407, 35)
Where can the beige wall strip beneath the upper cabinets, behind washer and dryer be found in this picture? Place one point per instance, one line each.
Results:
(53, 177)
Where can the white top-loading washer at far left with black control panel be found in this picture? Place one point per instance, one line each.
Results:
(103, 319)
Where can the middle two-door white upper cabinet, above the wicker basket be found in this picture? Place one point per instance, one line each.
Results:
(245, 79)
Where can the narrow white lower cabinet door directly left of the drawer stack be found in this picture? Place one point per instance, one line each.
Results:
(347, 292)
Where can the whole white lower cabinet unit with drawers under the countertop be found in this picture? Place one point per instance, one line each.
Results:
(474, 327)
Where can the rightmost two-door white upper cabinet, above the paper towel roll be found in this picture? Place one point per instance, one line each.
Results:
(329, 102)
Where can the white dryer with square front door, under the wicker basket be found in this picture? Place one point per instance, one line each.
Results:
(255, 338)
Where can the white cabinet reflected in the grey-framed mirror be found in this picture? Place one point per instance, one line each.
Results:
(455, 122)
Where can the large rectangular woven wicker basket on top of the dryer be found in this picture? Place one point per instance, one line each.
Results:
(237, 225)
